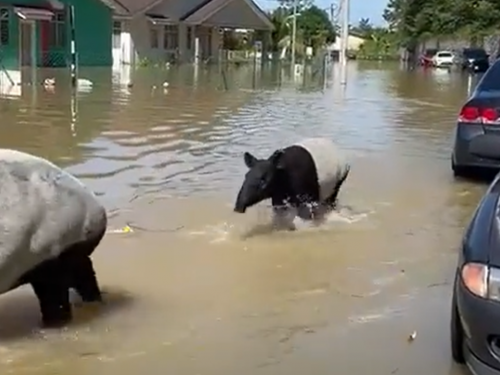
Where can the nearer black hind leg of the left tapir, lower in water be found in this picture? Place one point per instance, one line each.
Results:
(51, 288)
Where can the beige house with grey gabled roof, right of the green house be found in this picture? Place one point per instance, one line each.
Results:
(160, 30)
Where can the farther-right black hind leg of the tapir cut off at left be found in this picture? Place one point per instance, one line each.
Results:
(80, 270)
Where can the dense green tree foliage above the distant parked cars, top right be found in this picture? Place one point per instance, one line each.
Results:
(416, 20)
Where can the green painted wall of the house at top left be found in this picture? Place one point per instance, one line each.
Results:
(93, 30)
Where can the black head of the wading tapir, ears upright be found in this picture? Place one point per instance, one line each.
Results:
(260, 180)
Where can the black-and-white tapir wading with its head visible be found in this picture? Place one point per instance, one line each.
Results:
(306, 176)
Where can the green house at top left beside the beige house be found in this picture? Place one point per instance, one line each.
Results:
(36, 32)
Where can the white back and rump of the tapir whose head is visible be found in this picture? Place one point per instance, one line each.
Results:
(331, 164)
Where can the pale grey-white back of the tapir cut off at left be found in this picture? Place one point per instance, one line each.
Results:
(44, 210)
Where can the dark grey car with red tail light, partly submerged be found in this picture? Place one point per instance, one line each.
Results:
(477, 133)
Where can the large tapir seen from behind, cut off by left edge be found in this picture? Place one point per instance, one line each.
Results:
(50, 224)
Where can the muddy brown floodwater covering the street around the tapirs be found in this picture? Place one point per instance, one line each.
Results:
(195, 289)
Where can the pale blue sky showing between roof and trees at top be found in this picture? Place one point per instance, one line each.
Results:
(371, 9)
